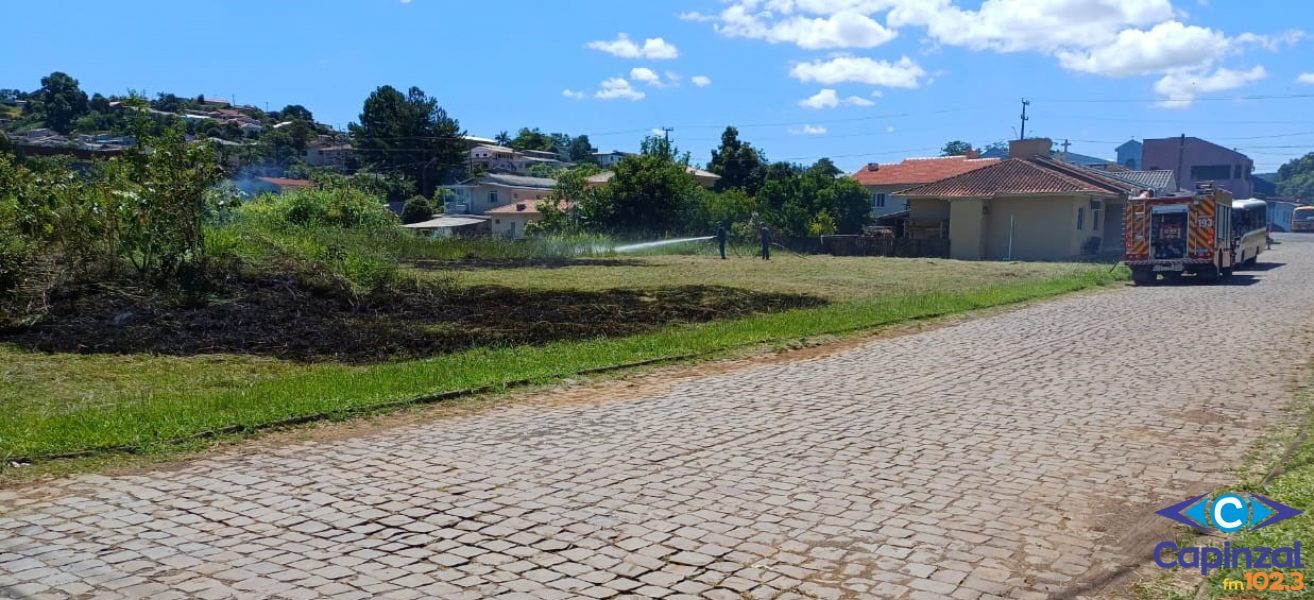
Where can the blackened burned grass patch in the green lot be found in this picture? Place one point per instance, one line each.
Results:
(281, 318)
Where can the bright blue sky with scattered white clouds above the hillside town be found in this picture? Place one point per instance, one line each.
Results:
(859, 81)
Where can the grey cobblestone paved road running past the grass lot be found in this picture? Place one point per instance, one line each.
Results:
(1011, 456)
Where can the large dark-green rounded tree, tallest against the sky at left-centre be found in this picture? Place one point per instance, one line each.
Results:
(409, 135)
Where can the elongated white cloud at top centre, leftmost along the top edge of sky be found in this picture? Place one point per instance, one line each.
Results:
(840, 31)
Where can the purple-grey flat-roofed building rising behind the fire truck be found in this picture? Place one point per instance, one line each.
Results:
(1195, 161)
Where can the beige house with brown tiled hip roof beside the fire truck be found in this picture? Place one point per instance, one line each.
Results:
(1026, 208)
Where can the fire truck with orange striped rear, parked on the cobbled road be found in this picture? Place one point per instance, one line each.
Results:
(1182, 236)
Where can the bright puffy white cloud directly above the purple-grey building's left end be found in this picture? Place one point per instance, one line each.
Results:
(1165, 48)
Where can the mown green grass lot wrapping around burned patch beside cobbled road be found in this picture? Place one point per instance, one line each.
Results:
(61, 404)
